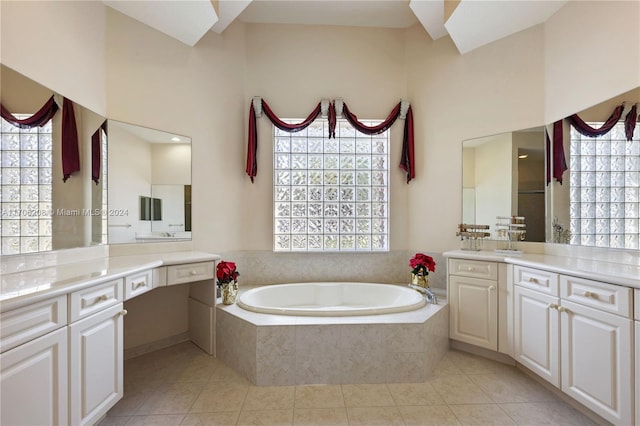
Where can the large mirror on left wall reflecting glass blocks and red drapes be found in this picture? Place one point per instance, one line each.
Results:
(40, 212)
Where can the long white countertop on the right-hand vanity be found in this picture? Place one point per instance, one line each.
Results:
(610, 272)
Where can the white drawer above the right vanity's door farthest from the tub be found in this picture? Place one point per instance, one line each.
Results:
(605, 297)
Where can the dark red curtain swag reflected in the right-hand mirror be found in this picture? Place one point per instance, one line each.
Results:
(559, 160)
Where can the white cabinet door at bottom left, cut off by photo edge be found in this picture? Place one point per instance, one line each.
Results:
(33, 382)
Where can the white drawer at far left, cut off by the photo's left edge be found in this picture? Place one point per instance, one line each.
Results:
(24, 324)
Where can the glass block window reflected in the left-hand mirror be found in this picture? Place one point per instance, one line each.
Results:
(25, 188)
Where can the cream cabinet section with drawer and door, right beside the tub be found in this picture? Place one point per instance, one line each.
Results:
(479, 302)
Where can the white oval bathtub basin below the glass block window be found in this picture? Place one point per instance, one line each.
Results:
(331, 299)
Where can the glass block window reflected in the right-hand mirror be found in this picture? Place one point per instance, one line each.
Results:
(604, 191)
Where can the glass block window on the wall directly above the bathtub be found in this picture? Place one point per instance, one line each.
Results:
(331, 194)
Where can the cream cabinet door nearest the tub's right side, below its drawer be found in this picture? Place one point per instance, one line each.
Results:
(473, 314)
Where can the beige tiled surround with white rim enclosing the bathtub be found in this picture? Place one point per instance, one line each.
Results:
(292, 350)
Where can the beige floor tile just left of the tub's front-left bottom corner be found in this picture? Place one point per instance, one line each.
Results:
(220, 396)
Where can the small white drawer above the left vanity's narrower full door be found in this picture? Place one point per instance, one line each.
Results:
(93, 299)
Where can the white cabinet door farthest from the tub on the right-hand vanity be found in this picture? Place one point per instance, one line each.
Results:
(597, 360)
